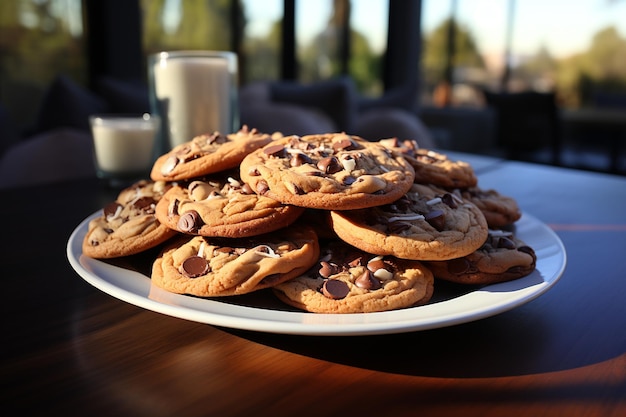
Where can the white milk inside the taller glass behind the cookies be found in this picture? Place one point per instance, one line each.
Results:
(195, 95)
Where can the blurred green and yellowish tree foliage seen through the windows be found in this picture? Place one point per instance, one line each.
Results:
(37, 42)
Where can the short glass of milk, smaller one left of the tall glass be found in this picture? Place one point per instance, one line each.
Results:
(124, 145)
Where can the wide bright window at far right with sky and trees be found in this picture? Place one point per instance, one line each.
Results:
(577, 49)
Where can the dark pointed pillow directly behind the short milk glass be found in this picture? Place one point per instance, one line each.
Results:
(66, 104)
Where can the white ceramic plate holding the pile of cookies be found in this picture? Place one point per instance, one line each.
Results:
(261, 312)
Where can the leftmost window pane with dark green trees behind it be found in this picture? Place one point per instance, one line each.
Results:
(38, 40)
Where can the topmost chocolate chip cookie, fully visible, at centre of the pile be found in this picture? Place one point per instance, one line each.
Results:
(331, 171)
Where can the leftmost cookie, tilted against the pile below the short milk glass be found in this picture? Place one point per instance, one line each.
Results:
(128, 225)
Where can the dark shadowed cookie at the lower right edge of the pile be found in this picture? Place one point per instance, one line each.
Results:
(503, 257)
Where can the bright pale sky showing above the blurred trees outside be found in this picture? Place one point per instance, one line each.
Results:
(562, 26)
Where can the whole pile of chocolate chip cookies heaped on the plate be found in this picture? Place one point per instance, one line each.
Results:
(328, 223)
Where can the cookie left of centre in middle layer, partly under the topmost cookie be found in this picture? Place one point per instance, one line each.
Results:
(222, 206)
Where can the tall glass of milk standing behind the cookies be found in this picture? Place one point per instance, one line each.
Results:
(193, 92)
